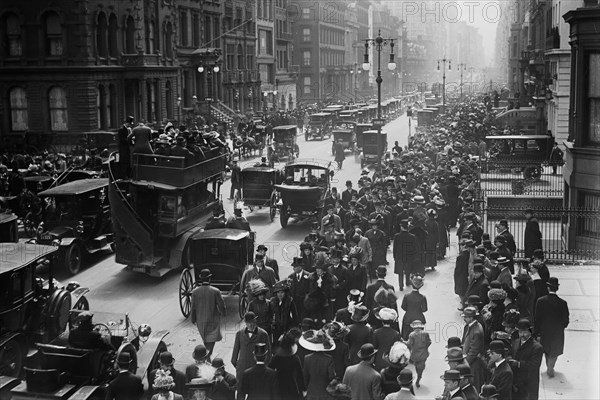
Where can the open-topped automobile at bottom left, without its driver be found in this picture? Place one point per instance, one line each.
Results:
(66, 372)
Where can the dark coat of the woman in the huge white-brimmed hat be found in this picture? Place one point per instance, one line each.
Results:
(318, 371)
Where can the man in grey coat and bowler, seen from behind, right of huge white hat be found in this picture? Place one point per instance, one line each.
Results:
(362, 377)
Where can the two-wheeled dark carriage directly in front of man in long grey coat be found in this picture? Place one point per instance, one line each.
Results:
(227, 253)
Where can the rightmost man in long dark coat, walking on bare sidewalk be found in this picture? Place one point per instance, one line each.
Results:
(551, 320)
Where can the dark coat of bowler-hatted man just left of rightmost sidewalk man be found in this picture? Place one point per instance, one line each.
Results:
(527, 375)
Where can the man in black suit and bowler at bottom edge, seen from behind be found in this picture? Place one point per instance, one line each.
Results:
(259, 382)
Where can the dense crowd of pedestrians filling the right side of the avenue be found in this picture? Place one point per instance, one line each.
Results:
(335, 328)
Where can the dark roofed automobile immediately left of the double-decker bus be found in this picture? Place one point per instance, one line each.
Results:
(76, 219)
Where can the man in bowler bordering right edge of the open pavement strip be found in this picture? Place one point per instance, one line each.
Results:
(473, 345)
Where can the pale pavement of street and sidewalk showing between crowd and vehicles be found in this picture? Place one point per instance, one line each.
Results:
(155, 301)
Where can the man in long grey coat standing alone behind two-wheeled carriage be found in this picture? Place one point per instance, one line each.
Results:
(207, 309)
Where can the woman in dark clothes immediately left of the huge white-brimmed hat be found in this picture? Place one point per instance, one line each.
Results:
(287, 364)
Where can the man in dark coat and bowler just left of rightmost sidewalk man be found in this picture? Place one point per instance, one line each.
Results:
(526, 363)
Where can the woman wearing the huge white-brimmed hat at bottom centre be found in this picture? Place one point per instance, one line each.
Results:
(318, 369)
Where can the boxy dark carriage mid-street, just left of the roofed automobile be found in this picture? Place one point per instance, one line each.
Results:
(257, 188)
